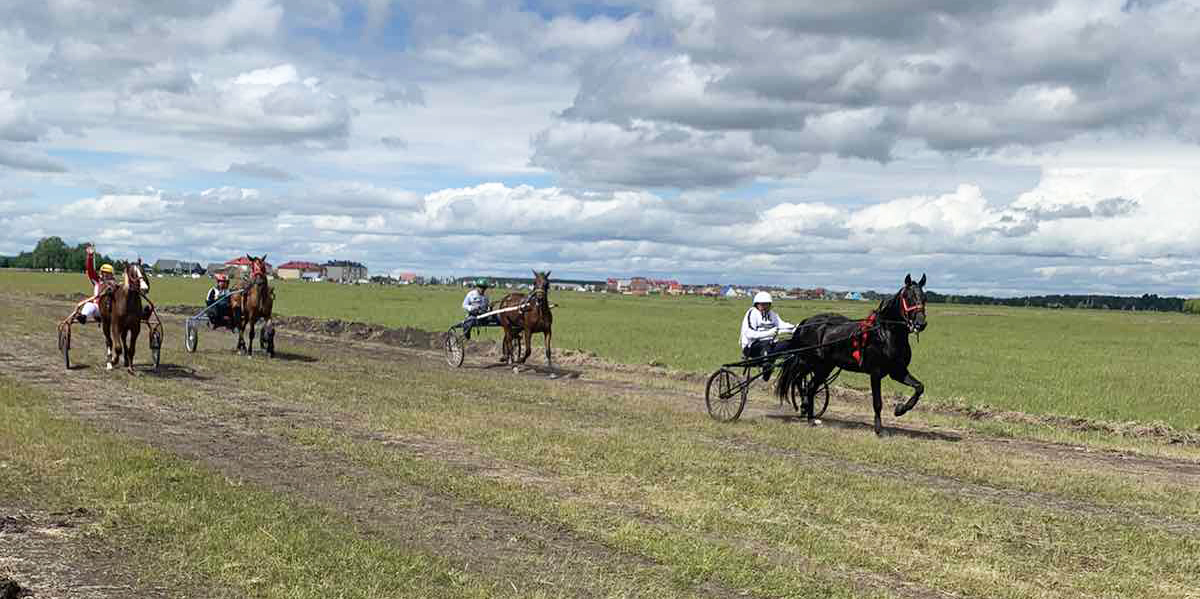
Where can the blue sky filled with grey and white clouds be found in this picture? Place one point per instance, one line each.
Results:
(1004, 148)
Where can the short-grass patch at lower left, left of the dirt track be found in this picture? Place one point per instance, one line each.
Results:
(189, 529)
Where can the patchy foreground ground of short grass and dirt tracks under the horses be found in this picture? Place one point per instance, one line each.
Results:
(347, 471)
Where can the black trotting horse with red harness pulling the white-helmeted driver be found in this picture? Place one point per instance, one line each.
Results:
(877, 346)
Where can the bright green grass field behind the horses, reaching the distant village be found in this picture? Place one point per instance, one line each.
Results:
(1115, 367)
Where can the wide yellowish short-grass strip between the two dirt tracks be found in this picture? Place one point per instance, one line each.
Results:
(716, 512)
